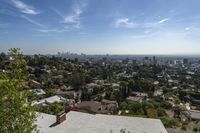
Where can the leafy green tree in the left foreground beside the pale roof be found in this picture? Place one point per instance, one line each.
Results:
(16, 113)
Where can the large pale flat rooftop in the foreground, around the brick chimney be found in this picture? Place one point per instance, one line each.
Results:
(77, 122)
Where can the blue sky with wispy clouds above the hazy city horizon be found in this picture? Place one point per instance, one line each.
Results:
(101, 26)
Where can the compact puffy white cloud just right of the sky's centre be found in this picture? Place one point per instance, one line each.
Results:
(124, 22)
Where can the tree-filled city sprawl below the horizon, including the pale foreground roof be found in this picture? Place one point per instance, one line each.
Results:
(112, 93)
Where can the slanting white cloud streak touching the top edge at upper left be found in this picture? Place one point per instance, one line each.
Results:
(24, 7)
